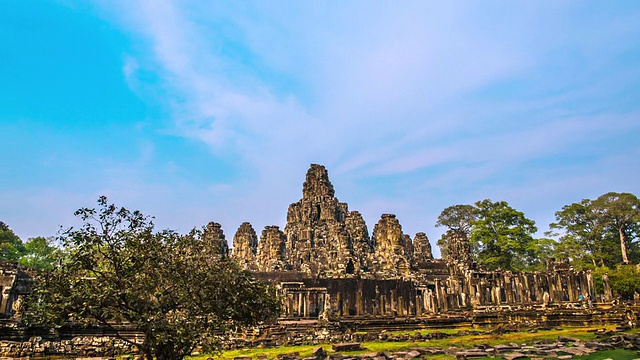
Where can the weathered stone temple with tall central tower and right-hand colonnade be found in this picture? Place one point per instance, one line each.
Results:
(326, 265)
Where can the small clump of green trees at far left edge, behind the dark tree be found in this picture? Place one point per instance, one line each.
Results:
(39, 252)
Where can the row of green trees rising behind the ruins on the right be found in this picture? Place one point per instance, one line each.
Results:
(601, 235)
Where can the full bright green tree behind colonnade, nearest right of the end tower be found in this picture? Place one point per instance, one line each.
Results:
(504, 237)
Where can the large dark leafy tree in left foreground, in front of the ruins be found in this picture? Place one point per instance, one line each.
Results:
(172, 288)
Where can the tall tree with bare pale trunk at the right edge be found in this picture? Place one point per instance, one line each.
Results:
(619, 213)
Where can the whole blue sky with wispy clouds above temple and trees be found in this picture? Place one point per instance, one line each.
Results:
(194, 111)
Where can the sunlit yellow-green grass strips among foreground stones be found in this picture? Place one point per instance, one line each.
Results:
(466, 341)
